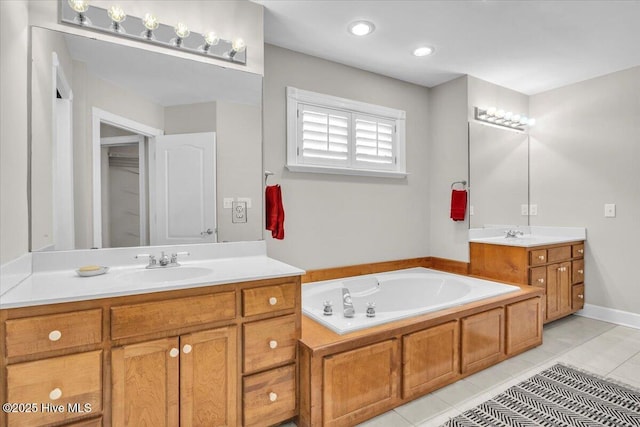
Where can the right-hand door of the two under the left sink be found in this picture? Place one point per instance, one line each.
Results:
(208, 378)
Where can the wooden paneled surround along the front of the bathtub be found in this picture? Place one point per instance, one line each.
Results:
(346, 379)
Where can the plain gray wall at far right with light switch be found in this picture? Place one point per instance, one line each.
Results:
(585, 152)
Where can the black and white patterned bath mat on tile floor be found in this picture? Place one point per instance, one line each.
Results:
(558, 396)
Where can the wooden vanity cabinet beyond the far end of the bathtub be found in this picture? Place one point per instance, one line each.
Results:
(558, 269)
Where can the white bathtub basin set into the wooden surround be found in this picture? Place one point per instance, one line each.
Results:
(397, 295)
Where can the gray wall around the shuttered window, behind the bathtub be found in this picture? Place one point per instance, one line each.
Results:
(334, 220)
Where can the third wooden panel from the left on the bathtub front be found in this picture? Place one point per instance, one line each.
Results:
(482, 340)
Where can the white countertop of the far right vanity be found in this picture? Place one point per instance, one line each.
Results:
(532, 235)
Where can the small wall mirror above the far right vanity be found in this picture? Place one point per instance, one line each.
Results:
(498, 175)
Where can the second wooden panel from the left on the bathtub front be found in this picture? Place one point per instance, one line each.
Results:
(430, 359)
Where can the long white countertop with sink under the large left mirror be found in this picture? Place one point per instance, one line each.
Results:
(59, 286)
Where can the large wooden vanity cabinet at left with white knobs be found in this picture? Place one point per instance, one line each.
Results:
(178, 354)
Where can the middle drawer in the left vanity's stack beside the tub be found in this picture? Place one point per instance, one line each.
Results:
(269, 343)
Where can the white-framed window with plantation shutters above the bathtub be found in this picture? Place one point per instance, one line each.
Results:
(326, 134)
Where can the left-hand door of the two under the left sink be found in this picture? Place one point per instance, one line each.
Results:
(145, 384)
